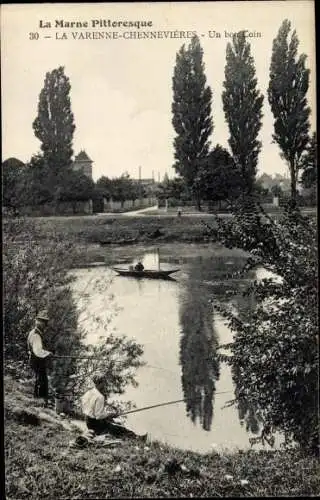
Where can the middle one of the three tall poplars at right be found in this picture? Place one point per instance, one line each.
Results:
(242, 105)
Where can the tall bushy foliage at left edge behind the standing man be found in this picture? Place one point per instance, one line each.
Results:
(35, 277)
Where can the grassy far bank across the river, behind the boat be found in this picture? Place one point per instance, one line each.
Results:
(92, 239)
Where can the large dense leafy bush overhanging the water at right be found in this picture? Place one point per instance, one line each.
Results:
(275, 349)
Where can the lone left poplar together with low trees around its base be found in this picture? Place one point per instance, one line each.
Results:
(49, 177)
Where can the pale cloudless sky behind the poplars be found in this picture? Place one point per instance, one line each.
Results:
(121, 88)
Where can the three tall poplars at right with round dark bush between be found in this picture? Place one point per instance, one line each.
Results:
(206, 171)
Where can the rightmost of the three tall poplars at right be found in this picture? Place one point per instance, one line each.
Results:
(288, 86)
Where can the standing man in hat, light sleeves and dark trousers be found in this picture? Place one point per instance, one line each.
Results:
(38, 356)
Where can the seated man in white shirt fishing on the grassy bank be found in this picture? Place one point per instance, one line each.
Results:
(98, 418)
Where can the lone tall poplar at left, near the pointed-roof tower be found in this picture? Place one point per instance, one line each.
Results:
(54, 124)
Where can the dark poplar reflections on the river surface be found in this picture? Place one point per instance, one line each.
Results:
(208, 278)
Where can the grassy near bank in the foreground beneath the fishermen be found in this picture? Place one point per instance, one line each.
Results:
(40, 464)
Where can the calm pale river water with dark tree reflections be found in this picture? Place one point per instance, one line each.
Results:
(180, 333)
